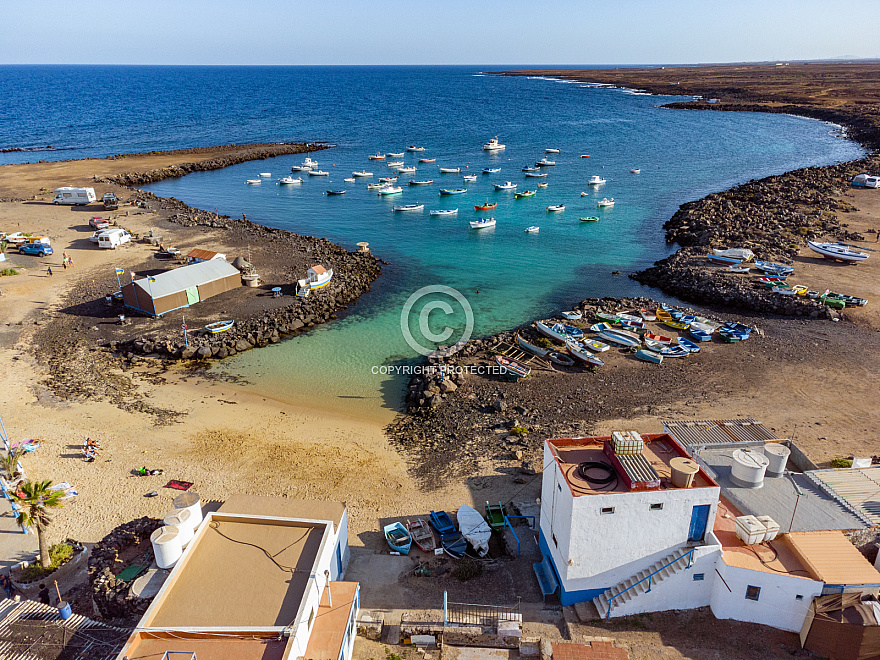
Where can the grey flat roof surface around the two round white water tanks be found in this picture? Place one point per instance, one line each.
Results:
(811, 510)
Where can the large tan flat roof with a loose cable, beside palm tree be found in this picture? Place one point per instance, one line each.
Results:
(227, 579)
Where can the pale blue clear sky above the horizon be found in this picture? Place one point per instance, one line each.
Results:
(482, 32)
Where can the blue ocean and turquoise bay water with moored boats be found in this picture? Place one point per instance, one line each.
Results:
(505, 275)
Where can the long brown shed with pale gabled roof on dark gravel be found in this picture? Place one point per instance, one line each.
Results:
(181, 287)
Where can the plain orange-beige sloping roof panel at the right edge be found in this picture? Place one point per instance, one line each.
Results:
(830, 557)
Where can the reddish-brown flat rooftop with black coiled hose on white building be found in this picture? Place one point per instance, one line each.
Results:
(659, 449)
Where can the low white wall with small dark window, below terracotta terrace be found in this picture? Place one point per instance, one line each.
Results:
(777, 604)
